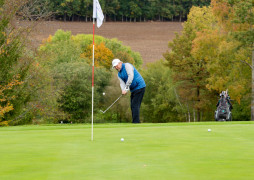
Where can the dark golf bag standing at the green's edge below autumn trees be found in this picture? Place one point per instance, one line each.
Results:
(223, 112)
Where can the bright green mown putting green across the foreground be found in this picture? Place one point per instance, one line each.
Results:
(149, 151)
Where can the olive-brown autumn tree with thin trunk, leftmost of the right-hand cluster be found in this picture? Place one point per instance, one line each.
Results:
(190, 71)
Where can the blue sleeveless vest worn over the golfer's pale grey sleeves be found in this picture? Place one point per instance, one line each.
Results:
(137, 82)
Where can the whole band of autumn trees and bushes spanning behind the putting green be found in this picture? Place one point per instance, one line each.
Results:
(214, 52)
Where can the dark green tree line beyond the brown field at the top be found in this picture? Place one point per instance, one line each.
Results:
(124, 10)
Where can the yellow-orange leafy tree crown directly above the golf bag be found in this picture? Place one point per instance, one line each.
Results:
(220, 56)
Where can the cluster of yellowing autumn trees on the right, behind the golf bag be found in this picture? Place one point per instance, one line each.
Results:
(214, 53)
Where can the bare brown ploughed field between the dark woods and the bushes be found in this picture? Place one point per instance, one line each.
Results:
(149, 38)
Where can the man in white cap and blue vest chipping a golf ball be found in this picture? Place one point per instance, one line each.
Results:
(131, 80)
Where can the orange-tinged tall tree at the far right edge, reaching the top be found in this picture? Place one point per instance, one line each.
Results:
(236, 19)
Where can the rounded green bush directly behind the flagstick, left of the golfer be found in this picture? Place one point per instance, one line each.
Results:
(75, 97)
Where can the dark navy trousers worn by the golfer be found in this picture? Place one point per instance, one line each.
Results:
(136, 99)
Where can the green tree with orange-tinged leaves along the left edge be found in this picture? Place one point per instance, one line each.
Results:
(14, 62)
